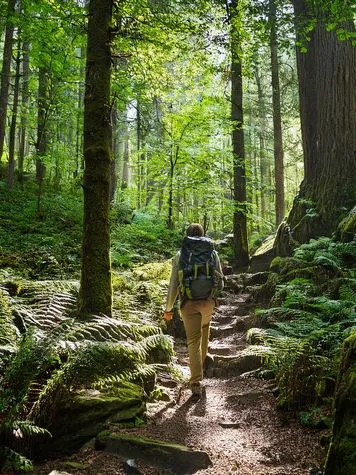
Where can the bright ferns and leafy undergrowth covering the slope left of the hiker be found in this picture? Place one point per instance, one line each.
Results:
(46, 354)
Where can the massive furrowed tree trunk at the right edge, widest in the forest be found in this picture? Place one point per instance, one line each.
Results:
(327, 78)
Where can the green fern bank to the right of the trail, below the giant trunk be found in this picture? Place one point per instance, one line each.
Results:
(308, 323)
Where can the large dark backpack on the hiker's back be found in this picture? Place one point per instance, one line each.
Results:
(197, 268)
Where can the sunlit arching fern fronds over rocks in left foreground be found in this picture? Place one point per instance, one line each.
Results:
(59, 355)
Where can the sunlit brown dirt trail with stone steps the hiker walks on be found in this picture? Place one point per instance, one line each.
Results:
(236, 421)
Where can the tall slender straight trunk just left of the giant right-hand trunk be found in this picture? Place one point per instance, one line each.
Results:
(277, 121)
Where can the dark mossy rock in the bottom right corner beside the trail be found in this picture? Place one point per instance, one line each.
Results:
(341, 459)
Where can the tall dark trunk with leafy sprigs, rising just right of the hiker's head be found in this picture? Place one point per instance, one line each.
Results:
(241, 257)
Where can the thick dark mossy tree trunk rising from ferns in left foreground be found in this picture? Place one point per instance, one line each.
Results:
(95, 289)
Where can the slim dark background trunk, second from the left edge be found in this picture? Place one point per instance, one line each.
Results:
(24, 109)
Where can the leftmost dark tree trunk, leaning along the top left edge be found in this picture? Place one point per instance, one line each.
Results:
(5, 72)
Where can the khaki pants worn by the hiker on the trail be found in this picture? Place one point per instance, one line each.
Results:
(196, 315)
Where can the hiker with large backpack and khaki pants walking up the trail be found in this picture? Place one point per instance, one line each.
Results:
(197, 278)
